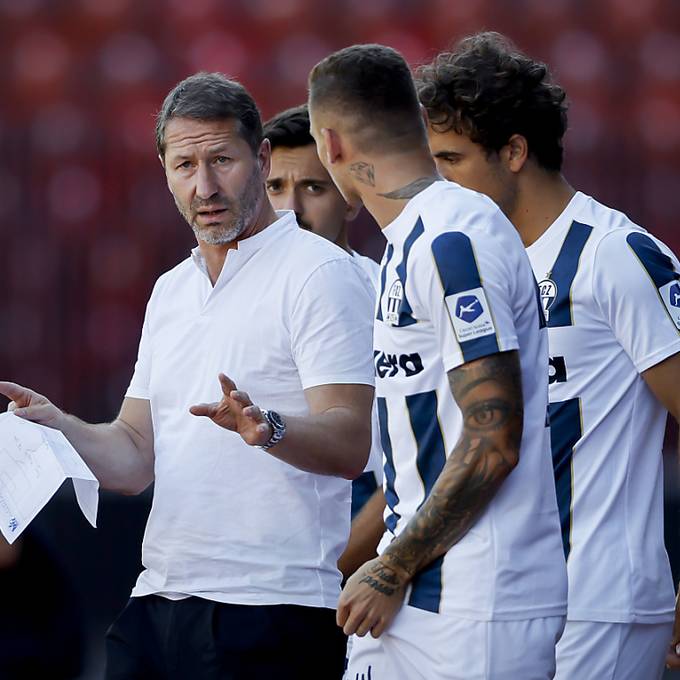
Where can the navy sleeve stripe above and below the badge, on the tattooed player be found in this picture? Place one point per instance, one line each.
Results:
(458, 272)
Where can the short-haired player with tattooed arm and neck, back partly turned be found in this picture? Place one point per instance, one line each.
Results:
(460, 356)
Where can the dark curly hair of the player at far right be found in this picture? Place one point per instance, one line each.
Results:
(488, 90)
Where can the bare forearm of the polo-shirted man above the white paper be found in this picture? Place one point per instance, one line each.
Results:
(114, 452)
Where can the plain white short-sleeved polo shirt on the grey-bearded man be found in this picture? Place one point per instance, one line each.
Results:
(230, 522)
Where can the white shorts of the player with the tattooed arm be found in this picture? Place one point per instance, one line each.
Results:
(420, 645)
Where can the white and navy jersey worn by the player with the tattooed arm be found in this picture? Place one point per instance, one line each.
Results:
(455, 286)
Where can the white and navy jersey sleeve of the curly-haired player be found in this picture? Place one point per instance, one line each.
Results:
(635, 284)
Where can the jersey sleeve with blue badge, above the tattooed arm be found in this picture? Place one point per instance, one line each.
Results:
(469, 299)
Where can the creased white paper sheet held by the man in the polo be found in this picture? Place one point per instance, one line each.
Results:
(34, 462)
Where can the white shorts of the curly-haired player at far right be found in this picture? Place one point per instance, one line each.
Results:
(595, 650)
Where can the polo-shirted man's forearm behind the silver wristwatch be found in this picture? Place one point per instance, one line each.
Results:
(335, 442)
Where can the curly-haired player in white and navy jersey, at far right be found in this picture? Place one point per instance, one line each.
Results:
(611, 296)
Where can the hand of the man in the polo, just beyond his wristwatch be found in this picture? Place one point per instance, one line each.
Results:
(237, 413)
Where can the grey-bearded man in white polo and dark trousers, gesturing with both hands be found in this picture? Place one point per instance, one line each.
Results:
(249, 407)
